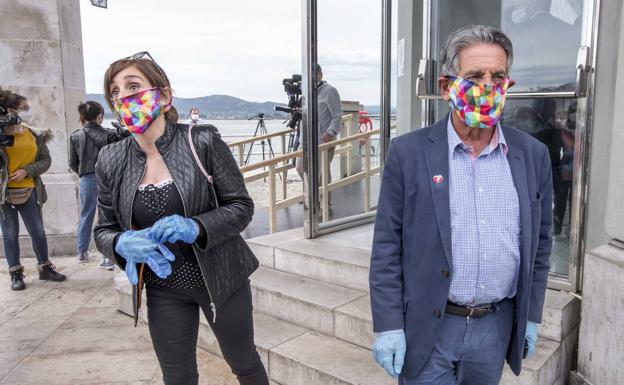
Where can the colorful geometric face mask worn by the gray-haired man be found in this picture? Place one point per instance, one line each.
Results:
(479, 105)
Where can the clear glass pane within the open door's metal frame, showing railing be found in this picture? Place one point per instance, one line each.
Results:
(350, 62)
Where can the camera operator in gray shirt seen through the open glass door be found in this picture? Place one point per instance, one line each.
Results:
(329, 116)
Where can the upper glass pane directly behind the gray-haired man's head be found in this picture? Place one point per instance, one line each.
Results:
(546, 36)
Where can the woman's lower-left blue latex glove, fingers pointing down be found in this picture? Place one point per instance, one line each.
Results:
(135, 247)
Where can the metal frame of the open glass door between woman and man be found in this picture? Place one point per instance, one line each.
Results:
(311, 208)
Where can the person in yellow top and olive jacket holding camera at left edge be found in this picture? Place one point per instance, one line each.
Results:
(22, 190)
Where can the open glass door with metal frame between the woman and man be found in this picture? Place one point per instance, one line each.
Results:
(343, 112)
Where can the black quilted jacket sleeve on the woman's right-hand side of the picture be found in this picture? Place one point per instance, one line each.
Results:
(235, 206)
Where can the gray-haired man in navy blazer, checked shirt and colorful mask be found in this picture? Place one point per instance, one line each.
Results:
(461, 248)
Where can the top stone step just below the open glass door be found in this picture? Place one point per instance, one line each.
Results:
(337, 264)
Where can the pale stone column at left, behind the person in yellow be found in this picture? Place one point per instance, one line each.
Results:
(41, 58)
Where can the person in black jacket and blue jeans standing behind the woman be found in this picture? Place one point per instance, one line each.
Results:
(84, 147)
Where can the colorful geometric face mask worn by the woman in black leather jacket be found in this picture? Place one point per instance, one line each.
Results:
(138, 111)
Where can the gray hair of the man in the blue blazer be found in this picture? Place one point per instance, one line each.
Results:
(467, 36)
